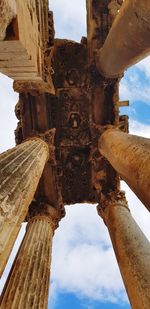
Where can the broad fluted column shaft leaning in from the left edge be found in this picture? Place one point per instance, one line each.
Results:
(20, 171)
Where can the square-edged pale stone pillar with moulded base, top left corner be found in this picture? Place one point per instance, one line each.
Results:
(26, 54)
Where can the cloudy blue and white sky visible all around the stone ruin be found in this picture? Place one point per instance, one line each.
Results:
(84, 271)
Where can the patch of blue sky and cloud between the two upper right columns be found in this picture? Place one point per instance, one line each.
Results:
(135, 86)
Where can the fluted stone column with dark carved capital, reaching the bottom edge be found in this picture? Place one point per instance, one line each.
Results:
(28, 283)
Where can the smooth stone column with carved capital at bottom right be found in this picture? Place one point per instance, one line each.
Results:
(131, 247)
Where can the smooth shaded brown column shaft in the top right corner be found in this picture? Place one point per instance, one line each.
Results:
(128, 41)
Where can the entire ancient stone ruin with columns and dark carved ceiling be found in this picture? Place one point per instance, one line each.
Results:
(71, 144)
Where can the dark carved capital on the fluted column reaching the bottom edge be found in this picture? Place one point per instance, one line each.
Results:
(43, 211)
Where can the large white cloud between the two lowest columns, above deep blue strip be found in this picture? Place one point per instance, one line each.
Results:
(83, 258)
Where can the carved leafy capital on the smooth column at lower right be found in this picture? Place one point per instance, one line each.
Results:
(112, 199)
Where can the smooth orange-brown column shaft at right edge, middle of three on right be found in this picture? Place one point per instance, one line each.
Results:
(130, 157)
